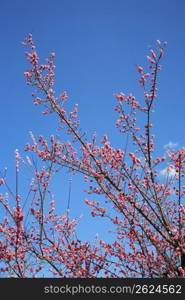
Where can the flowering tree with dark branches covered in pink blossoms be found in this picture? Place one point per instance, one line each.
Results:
(145, 212)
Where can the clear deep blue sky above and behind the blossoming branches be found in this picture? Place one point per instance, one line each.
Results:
(97, 43)
